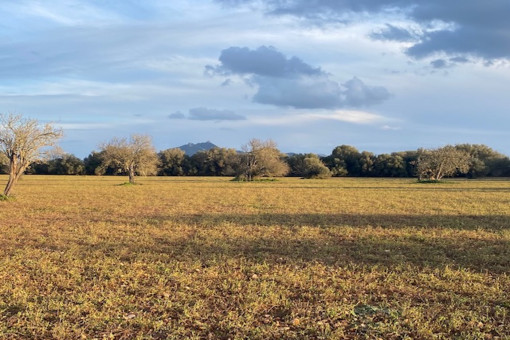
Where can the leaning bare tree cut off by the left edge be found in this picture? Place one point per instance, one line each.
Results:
(21, 141)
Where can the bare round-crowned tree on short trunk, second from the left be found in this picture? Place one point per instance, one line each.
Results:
(134, 157)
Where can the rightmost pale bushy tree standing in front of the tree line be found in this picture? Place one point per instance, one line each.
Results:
(435, 164)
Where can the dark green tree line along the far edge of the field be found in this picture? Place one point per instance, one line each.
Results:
(344, 161)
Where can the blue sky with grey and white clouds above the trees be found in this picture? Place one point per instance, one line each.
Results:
(380, 75)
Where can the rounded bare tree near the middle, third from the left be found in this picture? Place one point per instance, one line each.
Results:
(261, 158)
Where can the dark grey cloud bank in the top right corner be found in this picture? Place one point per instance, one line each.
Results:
(473, 27)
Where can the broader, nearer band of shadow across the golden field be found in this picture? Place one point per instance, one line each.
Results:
(335, 250)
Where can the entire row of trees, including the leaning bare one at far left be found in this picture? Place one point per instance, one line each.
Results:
(21, 141)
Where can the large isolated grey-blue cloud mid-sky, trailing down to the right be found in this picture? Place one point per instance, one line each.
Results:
(290, 82)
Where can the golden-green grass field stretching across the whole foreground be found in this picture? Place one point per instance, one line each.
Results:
(207, 258)
